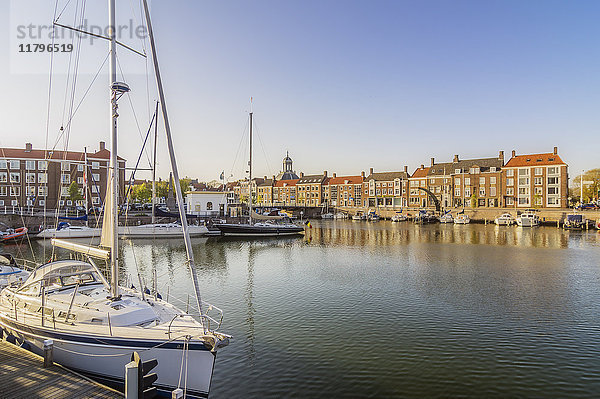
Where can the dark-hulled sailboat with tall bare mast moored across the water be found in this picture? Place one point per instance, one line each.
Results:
(267, 226)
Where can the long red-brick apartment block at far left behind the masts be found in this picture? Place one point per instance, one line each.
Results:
(41, 178)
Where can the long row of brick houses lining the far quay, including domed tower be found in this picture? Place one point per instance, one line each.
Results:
(524, 181)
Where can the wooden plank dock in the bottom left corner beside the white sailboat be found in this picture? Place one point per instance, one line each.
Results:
(22, 376)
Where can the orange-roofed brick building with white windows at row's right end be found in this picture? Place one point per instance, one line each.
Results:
(536, 180)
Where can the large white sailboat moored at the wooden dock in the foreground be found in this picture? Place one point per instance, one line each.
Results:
(95, 324)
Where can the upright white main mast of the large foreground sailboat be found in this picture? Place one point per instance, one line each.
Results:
(114, 169)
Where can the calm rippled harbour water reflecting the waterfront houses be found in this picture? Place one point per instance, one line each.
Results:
(383, 310)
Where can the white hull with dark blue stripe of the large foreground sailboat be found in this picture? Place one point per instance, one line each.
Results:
(106, 359)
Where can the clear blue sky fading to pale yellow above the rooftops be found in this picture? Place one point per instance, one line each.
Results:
(342, 85)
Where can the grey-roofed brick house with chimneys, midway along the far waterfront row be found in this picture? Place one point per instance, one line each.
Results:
(386, 189)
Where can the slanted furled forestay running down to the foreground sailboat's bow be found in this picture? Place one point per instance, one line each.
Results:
(184, 225)
